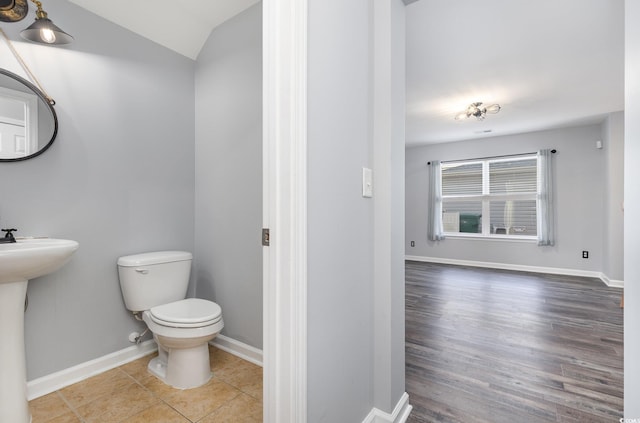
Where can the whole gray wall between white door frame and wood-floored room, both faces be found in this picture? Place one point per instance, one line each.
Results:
(356, 317)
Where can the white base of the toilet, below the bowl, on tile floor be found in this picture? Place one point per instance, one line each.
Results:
(182, 368)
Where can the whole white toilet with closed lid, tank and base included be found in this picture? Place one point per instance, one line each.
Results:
(154, 285)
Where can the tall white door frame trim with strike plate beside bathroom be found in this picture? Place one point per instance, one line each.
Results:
(285, 210)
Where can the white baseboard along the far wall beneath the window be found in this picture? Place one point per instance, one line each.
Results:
(521, 268)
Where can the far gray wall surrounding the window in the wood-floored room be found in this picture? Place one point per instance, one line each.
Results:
(580, 183)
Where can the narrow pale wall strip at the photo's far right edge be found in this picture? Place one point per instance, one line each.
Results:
(632, 210)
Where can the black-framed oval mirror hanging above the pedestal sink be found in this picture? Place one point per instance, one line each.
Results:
(28, 123)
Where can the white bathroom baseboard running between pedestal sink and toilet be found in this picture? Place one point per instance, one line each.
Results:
(51, 383)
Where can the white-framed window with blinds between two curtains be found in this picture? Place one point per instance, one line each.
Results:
(494, 197)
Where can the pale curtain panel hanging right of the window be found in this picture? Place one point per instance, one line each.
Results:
(546, 225)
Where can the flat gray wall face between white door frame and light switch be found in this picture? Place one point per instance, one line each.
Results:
(340, 221)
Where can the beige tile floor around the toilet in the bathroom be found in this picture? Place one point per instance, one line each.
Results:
(131, 394)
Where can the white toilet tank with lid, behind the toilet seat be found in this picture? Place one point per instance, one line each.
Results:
(152, 279)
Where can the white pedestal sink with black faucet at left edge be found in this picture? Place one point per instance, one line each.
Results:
(19, 262)
